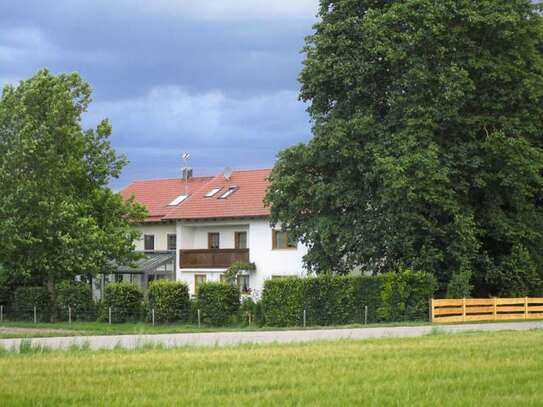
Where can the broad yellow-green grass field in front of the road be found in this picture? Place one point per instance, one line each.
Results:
(502, 368)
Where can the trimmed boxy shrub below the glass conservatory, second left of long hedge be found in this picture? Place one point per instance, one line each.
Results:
(170, 300)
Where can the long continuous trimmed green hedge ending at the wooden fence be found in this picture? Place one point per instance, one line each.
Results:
(335, 300)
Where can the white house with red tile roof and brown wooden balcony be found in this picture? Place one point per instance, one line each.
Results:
(198, 226)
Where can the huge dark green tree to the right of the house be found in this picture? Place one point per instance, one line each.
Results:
(427, 149)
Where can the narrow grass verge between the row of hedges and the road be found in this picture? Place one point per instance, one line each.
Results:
(138, 328)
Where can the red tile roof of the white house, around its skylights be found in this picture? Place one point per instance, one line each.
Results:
(247, 201)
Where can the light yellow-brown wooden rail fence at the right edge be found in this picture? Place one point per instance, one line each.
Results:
(485, 309)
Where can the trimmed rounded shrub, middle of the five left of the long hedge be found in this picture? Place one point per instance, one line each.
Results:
(125, 301)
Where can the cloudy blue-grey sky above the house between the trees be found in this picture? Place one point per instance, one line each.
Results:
(216, 78)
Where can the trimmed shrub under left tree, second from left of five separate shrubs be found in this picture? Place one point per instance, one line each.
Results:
(78, 297)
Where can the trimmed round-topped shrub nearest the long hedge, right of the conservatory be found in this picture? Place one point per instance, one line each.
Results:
(219, 303)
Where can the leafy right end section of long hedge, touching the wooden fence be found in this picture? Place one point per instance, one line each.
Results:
(405, 296)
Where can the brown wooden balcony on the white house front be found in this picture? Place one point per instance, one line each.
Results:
(211, 258)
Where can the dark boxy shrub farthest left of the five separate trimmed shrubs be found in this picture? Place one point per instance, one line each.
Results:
(26, 298)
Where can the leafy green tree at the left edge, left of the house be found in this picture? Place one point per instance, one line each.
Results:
(58, 217)
